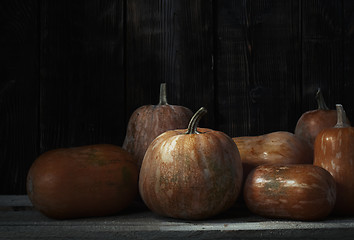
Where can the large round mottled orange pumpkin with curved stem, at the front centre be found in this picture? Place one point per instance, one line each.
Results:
(195, 173)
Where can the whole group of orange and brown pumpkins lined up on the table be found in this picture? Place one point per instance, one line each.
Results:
(183, 171)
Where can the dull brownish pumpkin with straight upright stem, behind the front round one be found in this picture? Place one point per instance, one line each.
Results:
(149, 121)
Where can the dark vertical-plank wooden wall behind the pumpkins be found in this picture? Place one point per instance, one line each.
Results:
(72, 72)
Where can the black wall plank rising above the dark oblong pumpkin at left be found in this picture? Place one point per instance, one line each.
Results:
(82, 73)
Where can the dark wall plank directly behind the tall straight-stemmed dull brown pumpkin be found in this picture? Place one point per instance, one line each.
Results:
(170, 41)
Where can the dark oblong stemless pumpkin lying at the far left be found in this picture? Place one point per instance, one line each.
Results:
(86, 181)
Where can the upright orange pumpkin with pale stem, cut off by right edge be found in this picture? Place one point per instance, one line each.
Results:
(334, 151)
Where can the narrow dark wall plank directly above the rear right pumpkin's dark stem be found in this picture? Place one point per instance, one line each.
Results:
(322, 52)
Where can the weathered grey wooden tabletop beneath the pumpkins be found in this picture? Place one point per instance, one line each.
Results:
(18, 220)
